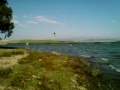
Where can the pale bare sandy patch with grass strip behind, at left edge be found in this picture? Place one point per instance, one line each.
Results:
(10, 57)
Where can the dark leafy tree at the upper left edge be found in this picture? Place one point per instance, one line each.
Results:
(6, 24)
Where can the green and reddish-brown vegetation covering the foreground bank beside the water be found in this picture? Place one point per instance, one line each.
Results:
(46, 71)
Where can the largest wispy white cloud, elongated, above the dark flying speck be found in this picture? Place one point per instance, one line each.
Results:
(46, 20)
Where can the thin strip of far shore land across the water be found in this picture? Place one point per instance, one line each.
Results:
(56, 42)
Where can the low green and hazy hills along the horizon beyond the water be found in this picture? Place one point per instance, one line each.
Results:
(58, 41)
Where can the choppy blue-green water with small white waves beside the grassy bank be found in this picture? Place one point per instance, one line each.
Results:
(105, 56)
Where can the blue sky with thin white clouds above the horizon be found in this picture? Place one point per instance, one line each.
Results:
(69, 19)
